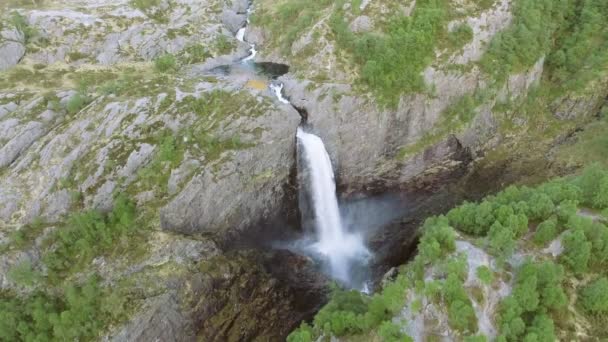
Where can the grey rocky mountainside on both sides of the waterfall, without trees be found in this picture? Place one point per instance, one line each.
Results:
(119, 99)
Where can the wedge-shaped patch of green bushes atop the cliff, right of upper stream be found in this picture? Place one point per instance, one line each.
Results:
(384, 66)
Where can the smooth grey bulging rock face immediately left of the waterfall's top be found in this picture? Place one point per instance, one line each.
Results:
(253, 187)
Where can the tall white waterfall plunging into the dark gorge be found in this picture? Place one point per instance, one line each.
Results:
(341, 248)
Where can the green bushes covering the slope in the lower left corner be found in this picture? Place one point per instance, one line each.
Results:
(57, 307)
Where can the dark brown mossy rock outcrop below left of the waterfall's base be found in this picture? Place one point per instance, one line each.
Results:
(238, 297)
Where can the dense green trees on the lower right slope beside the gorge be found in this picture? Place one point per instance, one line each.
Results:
(537, 307)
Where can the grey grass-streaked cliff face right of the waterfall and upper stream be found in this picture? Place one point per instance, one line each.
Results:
(374, 143)
